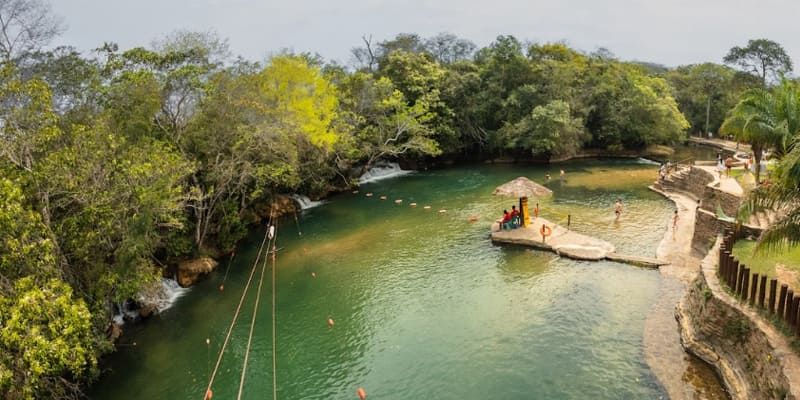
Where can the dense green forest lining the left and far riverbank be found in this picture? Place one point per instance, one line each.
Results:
(116, 163)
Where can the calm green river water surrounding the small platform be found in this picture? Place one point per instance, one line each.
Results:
(424, 305)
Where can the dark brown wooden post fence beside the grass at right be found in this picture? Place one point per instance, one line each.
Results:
(775, 298)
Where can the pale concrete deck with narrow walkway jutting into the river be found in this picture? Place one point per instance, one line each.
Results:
(567, 243)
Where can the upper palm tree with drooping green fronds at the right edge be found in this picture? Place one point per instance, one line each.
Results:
(766, 119)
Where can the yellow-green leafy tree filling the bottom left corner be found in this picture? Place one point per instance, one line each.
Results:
(45, 335)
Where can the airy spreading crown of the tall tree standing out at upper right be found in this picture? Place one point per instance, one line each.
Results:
(761, 57)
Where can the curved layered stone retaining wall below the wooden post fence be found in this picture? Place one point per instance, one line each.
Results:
(721, 334)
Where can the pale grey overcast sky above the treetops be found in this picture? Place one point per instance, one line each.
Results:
(670, 32)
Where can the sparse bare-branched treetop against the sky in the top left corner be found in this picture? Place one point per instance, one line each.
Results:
(26, 26)
